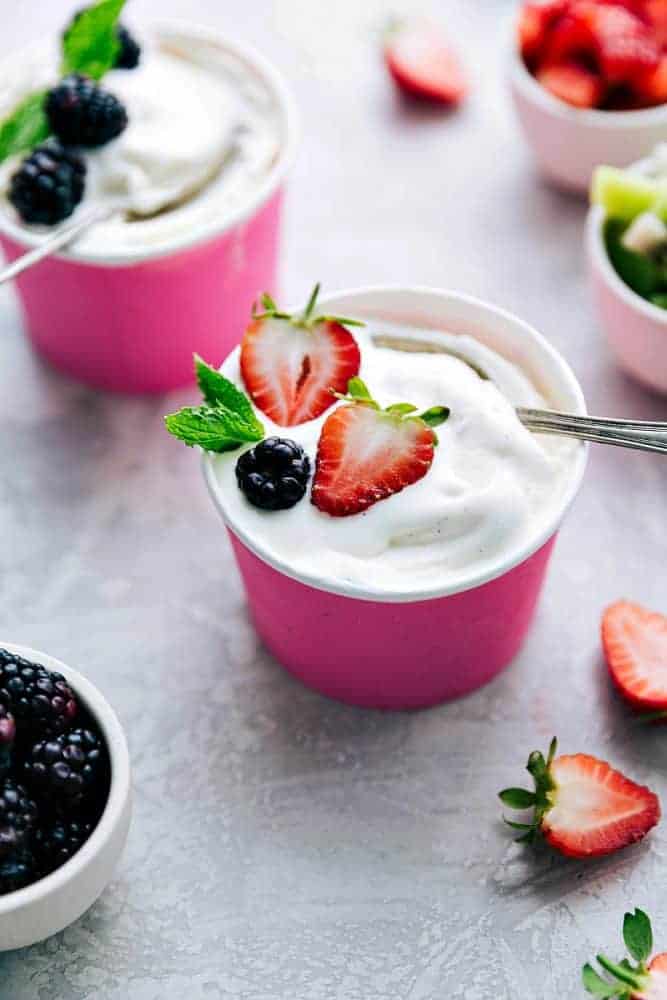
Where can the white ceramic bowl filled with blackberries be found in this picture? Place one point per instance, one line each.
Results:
(48, 906)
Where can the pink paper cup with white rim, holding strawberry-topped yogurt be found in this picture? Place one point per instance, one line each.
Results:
(412, 649)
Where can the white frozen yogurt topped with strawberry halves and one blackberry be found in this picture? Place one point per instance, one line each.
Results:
(491, 482)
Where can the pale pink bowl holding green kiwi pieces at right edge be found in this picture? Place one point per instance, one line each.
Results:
(635, 328)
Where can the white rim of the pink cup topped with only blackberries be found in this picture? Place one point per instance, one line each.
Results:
(213, 228)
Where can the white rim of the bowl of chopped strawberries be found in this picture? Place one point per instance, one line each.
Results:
(593, 118)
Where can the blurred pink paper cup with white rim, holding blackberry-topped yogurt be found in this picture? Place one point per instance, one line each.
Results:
(129, 321)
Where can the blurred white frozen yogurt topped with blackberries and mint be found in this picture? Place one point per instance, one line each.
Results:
(204, 132)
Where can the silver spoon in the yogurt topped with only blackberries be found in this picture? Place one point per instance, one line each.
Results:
(64, 236)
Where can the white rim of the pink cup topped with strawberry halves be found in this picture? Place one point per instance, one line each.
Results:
(534, 541)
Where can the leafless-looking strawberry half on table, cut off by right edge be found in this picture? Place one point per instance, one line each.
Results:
(635, 648)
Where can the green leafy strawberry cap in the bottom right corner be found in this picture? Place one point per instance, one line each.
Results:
(624, 980)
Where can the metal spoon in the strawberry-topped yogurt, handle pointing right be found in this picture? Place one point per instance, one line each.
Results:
(642, 435)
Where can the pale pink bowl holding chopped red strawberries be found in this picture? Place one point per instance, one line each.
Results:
(568, 143)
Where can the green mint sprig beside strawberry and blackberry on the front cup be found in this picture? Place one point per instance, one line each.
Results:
(224, 422)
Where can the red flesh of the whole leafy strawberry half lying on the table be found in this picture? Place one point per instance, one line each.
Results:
(596, 810)
